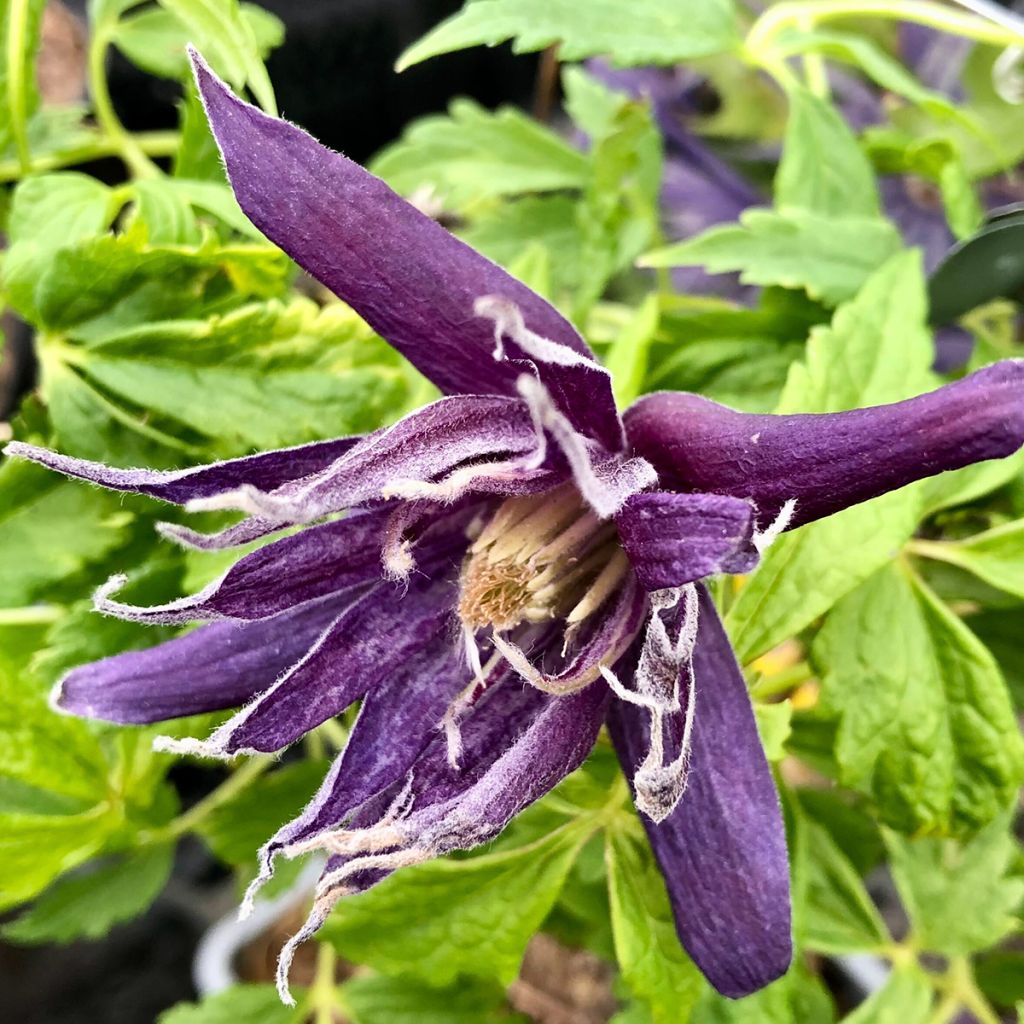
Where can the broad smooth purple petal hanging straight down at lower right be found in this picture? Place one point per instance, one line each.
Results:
(722, 850)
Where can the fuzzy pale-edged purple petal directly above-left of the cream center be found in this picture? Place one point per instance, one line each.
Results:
(446, 448)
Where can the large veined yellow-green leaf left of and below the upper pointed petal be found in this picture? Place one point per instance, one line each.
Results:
(264, 376)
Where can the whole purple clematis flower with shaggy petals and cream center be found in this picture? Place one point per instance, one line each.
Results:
(517, 568)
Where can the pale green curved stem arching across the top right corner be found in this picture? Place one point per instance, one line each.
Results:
(806, 14)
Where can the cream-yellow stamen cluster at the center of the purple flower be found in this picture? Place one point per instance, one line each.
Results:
(541, 558)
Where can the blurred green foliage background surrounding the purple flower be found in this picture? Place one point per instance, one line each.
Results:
(753, 202)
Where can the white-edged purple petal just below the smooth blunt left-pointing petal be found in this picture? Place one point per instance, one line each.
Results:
(377, 637)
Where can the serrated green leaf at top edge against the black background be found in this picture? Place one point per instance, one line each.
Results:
(654, 31)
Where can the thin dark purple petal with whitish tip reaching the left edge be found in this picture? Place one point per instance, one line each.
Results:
(266, 472)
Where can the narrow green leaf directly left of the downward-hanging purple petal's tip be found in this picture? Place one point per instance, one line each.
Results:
(654, 964)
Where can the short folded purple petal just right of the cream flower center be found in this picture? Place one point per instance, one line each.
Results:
(674, 539)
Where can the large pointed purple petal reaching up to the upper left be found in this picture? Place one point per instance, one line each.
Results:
(410, 279)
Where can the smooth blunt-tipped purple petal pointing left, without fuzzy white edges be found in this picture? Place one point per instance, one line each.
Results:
(220, 666)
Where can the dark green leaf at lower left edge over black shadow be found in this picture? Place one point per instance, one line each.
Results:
(89, 905)
